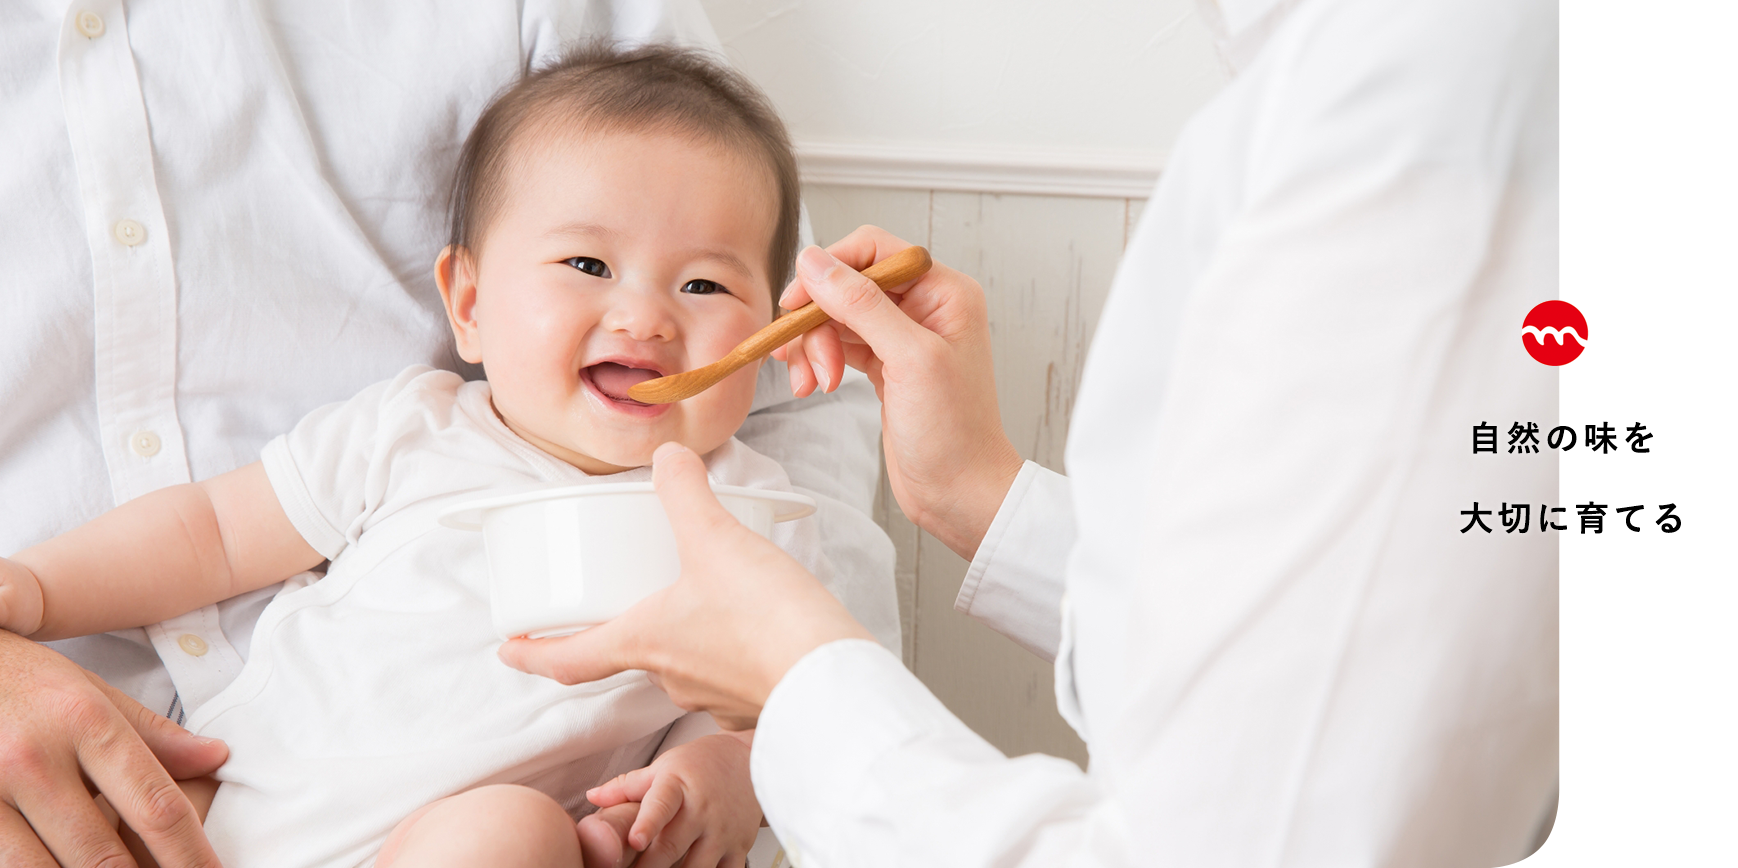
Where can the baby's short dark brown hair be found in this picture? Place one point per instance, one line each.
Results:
(604, 88)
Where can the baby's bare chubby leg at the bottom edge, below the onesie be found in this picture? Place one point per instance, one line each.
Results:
(501, 825)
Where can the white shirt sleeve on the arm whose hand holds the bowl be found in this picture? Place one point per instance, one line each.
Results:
(856, 763)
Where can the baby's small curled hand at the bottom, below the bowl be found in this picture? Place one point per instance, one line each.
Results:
(696, 801)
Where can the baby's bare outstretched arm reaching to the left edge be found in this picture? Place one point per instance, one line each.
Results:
(156, 558)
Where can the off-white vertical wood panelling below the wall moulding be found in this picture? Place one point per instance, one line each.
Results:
(1045, 265)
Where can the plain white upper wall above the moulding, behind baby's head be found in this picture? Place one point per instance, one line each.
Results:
(1084, 83)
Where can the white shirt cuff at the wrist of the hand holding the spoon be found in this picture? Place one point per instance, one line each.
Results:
(1016, 582)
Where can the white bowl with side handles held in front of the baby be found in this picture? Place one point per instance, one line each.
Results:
(573, 558)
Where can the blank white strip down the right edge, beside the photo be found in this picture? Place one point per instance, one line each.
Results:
(1650, 625)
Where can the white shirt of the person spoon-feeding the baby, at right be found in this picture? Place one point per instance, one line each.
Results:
(1268, 622)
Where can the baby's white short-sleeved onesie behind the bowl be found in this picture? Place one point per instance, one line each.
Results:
(376, 690)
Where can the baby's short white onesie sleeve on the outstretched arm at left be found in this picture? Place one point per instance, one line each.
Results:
(331, 471)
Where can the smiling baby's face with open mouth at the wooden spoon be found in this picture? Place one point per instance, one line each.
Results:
(618, 258)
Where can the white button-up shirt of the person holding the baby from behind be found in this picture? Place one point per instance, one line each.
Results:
(220, 217)
